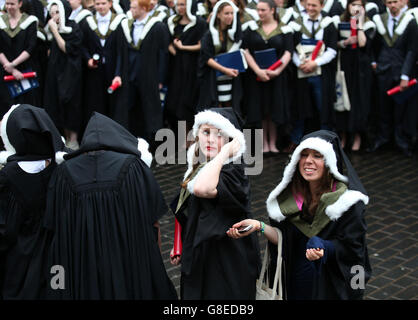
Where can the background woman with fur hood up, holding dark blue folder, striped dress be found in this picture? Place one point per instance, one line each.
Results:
(220, 85)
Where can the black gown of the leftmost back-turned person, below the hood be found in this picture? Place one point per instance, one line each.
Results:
(24, 242)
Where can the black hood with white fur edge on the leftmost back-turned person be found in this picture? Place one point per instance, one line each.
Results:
(29, 134)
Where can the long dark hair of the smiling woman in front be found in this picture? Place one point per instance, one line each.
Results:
(300, 185)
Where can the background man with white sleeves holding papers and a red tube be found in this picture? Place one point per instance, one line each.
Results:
(315, 85)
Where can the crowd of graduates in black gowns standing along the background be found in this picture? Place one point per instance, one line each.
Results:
(143, 50)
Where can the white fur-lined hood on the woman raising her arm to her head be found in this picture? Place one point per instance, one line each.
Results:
(224, 119)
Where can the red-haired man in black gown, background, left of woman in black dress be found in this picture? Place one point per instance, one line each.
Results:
(148, 50)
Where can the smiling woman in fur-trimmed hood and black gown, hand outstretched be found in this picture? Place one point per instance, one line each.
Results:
(321, 213)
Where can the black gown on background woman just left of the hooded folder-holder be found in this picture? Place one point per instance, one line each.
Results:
(182, 95)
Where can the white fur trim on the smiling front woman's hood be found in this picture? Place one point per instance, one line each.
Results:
(334, 211)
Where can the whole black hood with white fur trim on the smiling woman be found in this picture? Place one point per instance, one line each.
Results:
(328, 144)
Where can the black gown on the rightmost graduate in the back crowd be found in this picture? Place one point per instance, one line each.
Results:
(395, 57)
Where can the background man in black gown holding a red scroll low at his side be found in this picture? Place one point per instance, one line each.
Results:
(104, 37)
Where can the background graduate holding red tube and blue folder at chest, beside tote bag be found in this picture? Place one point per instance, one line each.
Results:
(355, 59)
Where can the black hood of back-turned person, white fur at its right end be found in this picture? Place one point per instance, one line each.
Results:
(102, 133)
